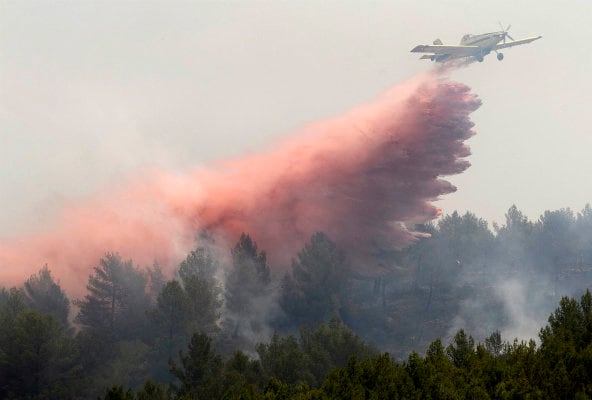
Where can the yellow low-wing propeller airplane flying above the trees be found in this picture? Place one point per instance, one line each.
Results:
(472, 46)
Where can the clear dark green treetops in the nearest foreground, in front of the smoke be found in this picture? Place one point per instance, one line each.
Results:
(463, 369)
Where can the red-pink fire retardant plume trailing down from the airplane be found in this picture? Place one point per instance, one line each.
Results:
(364, 178)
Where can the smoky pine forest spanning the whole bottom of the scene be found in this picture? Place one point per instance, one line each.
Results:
(467, 311)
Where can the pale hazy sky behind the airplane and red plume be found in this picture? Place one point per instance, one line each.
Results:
(91, 92)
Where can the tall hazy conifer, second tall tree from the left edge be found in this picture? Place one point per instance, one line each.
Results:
(114, 325)
